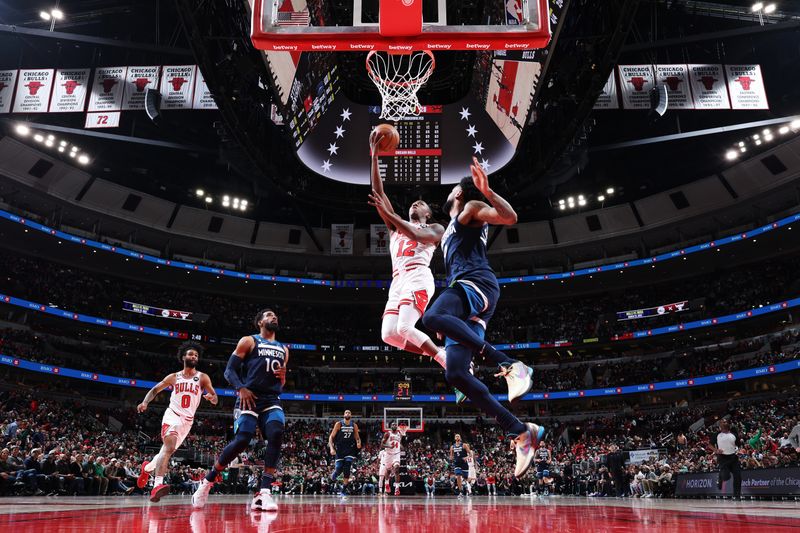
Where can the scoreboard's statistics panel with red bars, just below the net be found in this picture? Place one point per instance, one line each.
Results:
(417, 159)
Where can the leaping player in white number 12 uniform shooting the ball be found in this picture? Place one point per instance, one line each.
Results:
(411, 246)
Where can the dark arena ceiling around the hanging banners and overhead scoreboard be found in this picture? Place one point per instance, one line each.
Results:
(569, 150)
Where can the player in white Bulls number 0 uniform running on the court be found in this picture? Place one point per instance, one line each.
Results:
(187, 390)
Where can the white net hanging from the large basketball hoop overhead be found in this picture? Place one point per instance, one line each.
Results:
(398, 77)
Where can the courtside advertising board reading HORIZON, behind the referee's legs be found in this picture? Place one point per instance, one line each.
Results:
(763, 482)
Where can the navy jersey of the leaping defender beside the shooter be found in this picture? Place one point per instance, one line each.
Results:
(464, 250)
